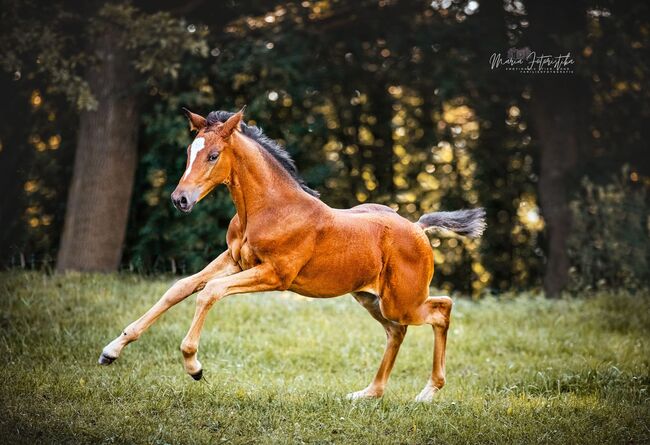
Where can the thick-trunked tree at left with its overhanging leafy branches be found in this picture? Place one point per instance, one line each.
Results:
(119, 46)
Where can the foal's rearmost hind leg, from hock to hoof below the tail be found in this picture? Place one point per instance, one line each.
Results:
(435, 311)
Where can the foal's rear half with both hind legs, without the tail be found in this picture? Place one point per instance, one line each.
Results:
(386, 262)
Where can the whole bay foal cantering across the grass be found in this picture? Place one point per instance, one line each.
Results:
(284, 237)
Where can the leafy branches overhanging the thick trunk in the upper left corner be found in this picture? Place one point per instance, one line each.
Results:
(38, 43)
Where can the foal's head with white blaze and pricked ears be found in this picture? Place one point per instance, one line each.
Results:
(208, 159)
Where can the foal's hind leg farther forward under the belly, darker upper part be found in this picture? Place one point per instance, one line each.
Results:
(395, 333)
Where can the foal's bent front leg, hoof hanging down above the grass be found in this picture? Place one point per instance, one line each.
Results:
(258, 279)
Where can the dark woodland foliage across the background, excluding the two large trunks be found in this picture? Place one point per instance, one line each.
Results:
(390, 102)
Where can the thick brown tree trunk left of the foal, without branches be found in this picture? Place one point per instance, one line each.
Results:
(105, 162)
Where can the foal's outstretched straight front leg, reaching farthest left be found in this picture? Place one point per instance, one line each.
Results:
(223, 265)
